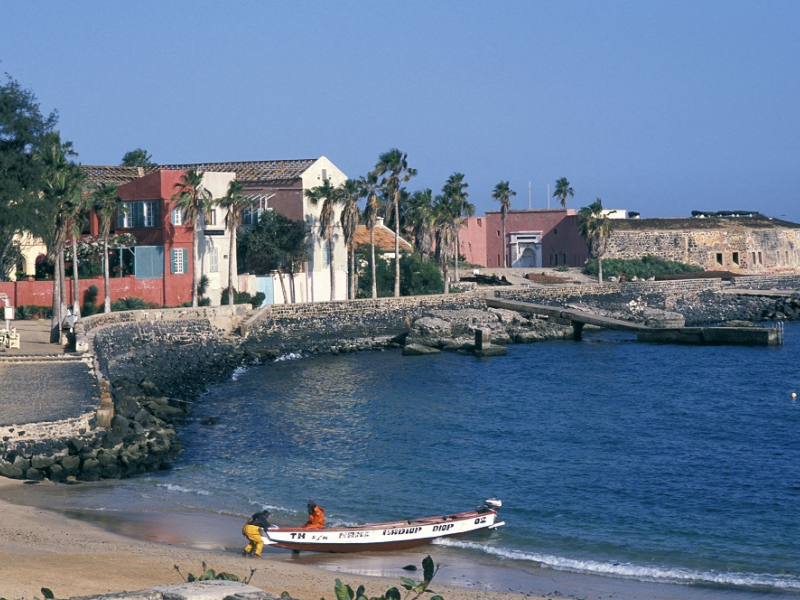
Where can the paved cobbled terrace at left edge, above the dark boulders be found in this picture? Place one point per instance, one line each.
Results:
(39, 382)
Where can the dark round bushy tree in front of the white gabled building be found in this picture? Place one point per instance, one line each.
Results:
(276, 243)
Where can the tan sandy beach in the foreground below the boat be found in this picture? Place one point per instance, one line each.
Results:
(41, 547)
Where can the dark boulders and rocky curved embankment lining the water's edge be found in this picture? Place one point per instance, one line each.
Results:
(157, 370)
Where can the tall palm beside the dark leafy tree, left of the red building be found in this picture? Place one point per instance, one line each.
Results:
(59, 201)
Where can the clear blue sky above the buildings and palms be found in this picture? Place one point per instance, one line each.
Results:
(662, 107)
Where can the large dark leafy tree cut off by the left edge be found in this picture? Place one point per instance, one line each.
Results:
(23, 130)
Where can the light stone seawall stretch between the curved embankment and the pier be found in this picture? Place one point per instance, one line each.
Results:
(343, 326)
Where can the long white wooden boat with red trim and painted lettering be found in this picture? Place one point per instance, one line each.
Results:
(396, 535)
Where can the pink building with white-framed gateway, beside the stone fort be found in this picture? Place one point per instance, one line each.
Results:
(534, 239)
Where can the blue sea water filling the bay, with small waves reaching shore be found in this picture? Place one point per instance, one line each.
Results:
(655, 463)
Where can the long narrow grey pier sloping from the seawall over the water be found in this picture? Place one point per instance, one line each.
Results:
(742, 336)
